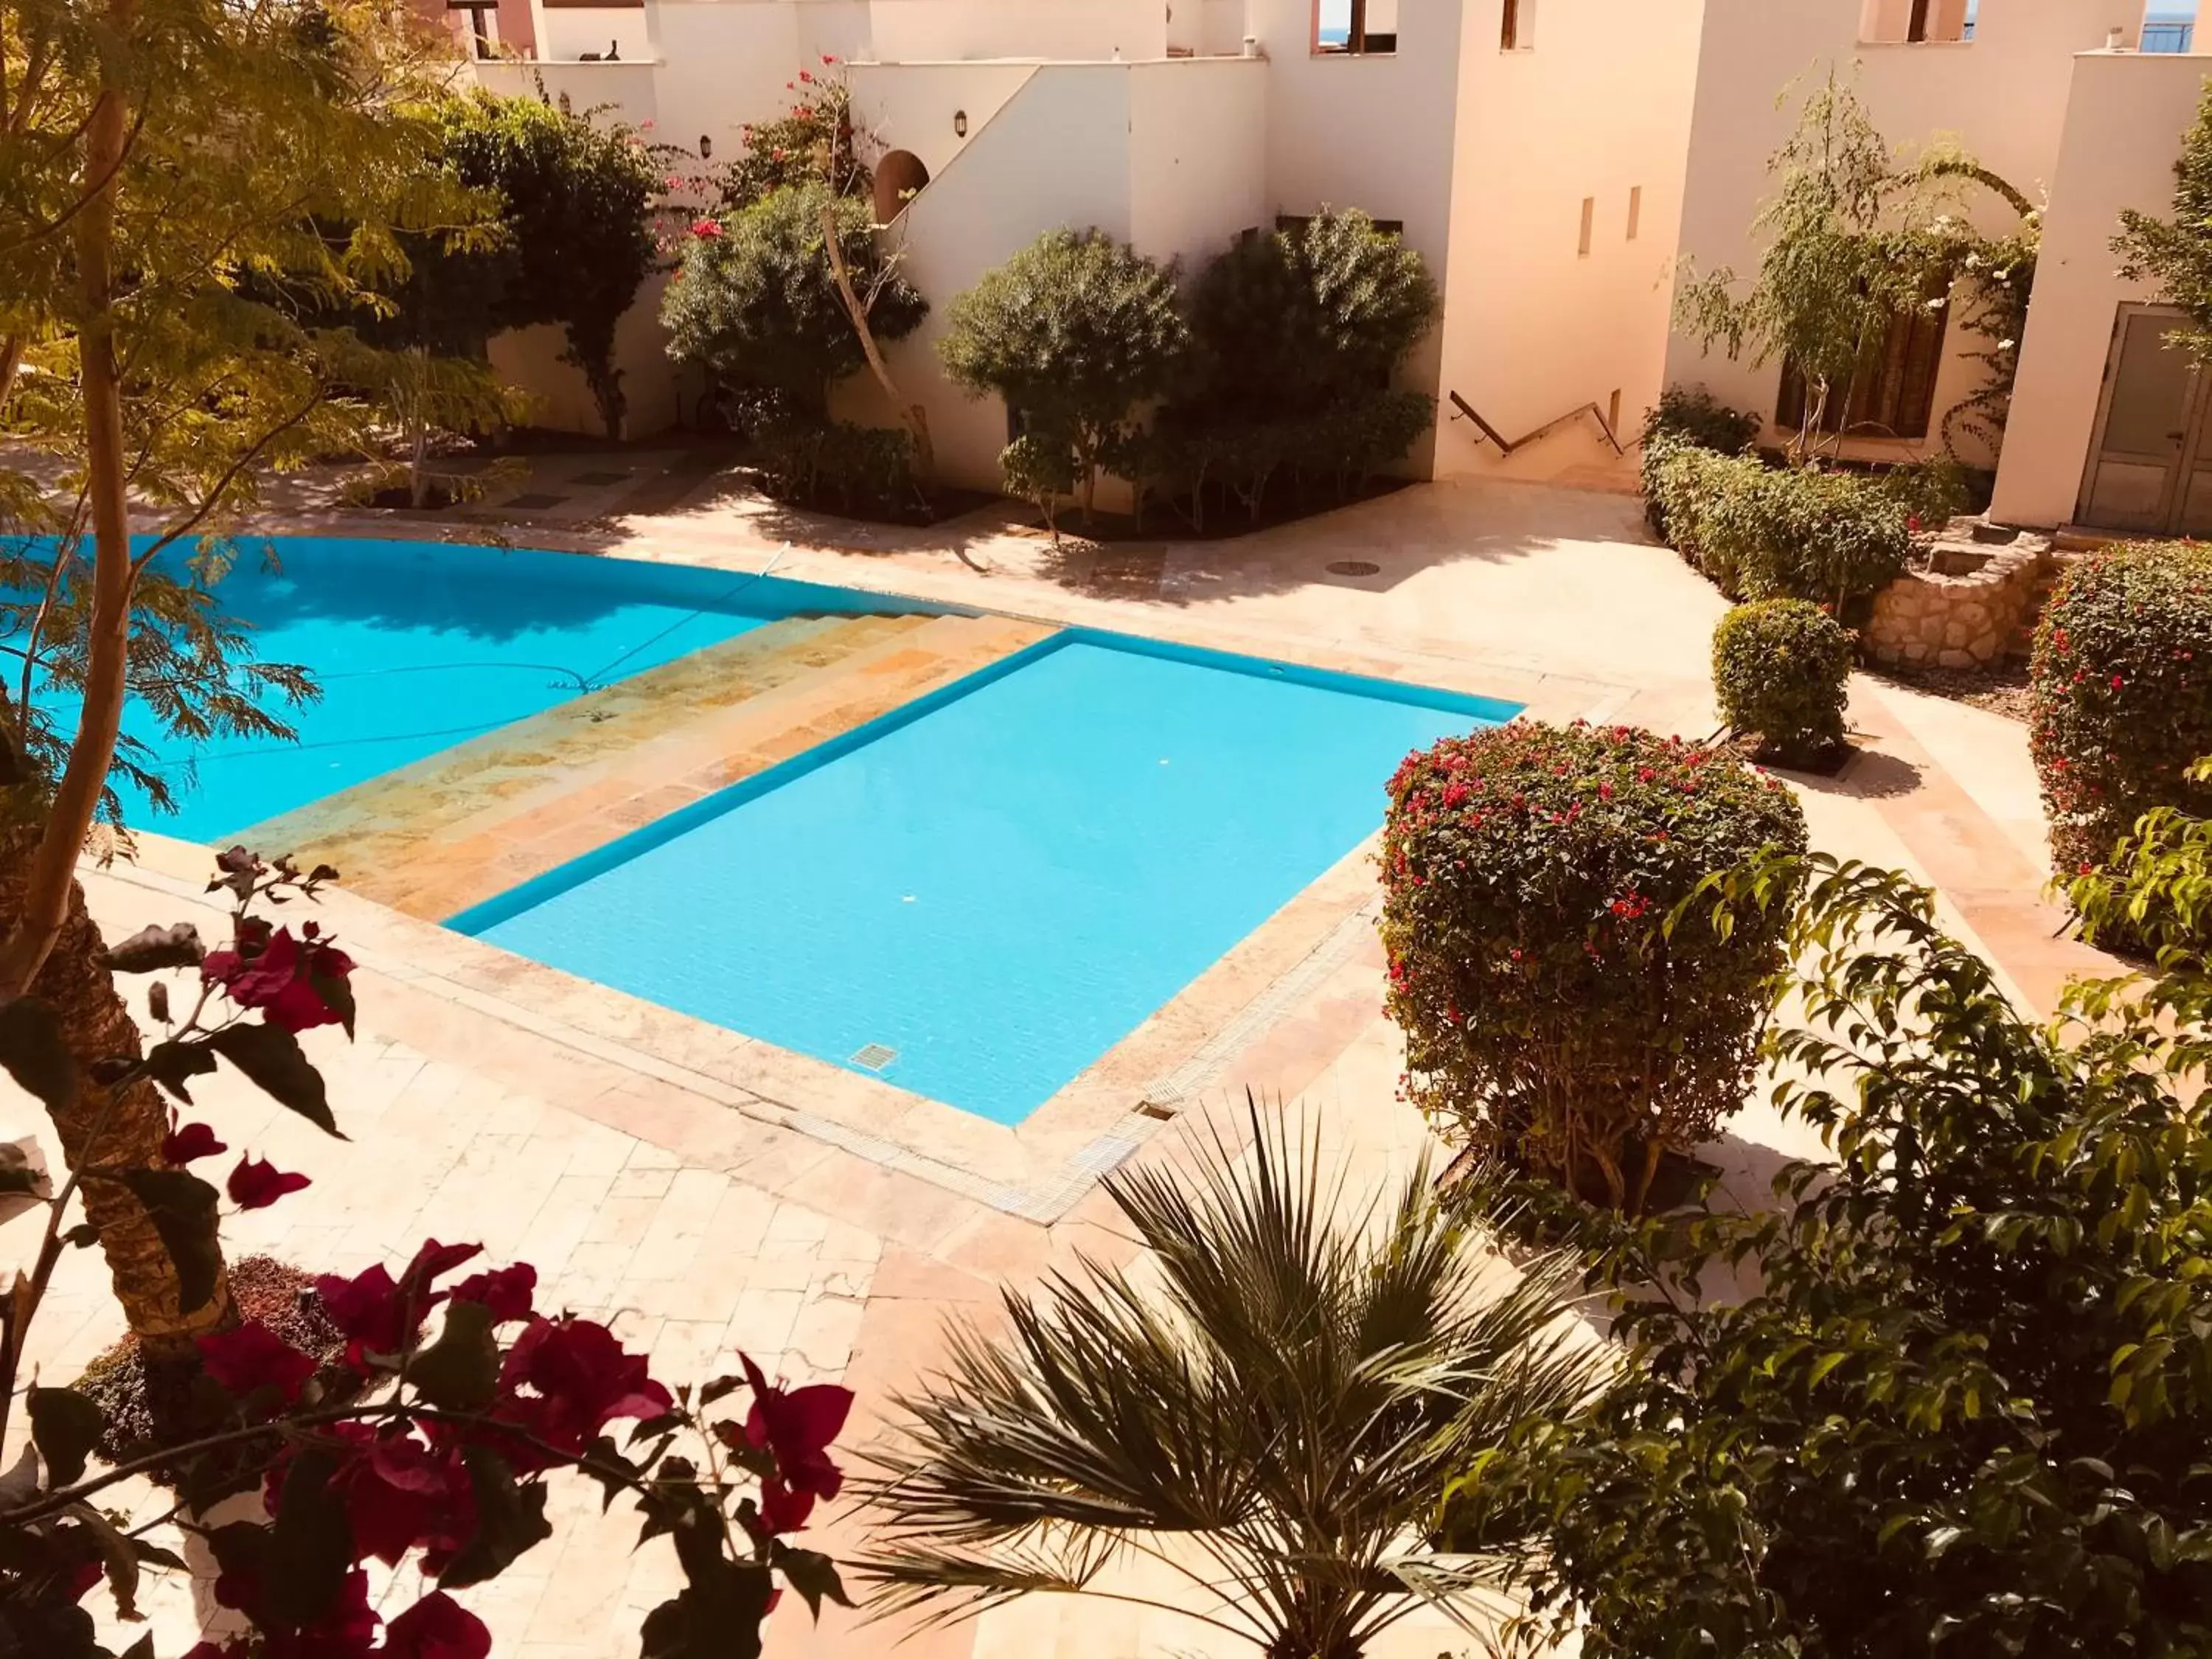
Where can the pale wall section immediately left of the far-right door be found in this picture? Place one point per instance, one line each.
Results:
(2125, 127)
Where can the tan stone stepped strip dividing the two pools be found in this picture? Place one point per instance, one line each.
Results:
(481, 817)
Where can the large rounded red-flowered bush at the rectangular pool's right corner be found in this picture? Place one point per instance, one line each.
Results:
(1552, 1016)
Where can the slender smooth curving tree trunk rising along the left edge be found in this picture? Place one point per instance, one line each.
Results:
(54, 862)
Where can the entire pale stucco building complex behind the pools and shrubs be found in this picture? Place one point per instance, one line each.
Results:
(1547, 158)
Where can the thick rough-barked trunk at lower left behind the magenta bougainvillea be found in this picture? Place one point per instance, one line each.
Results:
(96, 1025)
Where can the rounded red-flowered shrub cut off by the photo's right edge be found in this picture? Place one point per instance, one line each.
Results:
(2120, 696)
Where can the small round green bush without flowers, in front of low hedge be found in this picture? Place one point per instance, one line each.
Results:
(1784, 669)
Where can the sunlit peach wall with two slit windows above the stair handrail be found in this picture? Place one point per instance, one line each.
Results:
(1532, 326)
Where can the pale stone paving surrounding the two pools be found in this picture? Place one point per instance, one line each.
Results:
(654, 1180)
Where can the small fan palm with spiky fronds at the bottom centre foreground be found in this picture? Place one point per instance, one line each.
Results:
(1277, 1421)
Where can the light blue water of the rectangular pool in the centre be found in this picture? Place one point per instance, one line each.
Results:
(1001, 881)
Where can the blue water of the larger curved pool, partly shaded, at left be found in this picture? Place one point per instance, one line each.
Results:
(419, 647)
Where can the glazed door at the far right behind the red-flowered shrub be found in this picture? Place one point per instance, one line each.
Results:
(2147, 472)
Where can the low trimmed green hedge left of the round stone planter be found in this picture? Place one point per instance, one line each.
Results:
(1782, 532)
